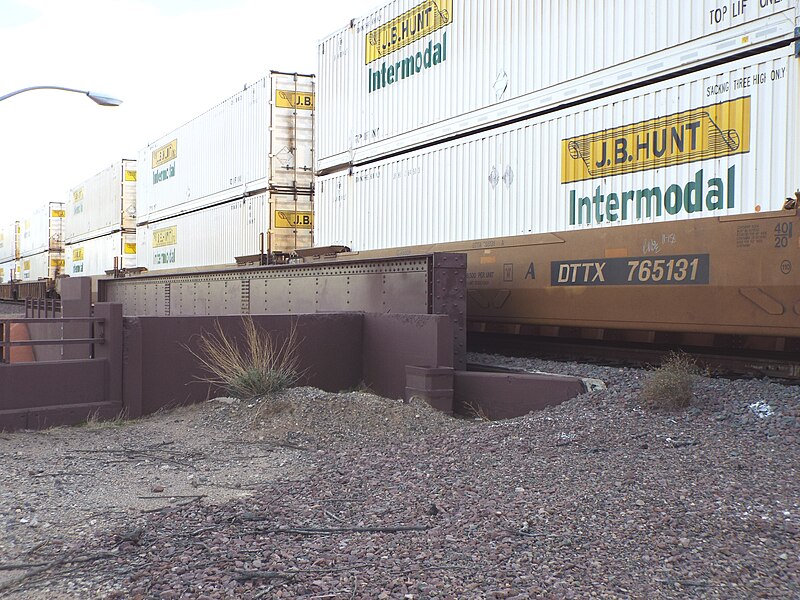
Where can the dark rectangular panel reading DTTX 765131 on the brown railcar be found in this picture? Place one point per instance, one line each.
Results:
(667, 270)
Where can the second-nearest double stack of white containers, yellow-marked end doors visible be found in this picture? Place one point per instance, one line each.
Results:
(235, 181)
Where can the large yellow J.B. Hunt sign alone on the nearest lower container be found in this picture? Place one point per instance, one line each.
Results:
(709, 132)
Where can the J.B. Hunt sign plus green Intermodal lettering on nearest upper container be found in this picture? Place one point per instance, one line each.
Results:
(415, 24)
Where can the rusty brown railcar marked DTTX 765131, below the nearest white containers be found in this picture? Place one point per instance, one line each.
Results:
(730, 281)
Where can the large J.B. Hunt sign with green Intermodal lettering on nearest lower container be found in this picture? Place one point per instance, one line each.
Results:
(709, 132)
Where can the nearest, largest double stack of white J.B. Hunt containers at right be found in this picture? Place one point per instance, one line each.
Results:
(449, 120)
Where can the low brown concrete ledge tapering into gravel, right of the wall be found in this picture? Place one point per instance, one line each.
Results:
(506, 395)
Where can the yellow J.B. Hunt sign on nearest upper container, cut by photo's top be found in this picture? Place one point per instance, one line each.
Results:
(412, 25)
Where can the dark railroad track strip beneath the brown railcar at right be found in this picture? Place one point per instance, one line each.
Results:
(783, 366)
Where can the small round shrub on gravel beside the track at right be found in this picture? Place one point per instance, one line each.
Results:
(671, 386)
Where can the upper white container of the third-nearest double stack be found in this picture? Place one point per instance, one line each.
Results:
(102, 204)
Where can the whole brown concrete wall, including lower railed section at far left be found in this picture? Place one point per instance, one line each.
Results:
(146, 363)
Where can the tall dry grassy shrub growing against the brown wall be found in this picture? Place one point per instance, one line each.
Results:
(254, 368)
